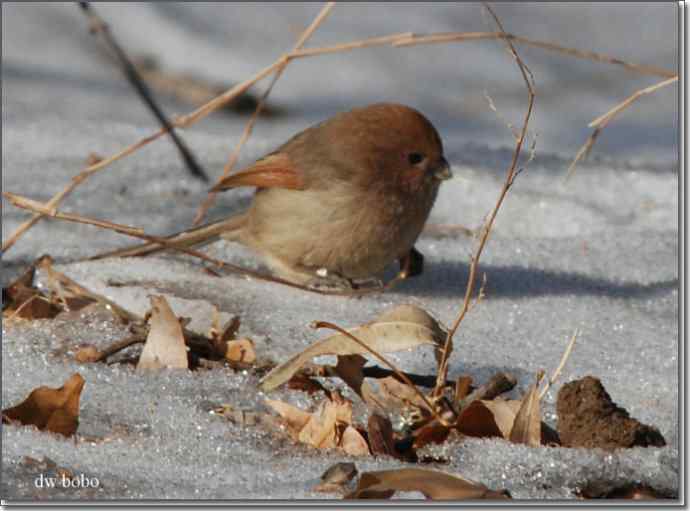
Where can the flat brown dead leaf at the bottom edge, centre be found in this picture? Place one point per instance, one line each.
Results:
(434, 485)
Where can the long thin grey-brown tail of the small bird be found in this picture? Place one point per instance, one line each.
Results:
(185, 239)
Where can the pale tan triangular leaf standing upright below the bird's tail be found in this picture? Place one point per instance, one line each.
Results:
(165, 345)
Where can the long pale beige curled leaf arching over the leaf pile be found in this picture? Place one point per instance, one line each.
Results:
(402, 328)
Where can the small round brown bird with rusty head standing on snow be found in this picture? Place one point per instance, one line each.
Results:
(339, 201)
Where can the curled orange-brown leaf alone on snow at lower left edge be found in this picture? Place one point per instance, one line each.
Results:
(50, 409)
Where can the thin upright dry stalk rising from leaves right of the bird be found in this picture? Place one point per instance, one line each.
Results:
(486, 229)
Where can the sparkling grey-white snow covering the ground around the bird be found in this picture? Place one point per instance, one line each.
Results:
(599, 253)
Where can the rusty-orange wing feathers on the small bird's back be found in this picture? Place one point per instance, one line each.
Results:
(274, 171)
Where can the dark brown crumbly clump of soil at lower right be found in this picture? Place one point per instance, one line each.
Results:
(587, 417)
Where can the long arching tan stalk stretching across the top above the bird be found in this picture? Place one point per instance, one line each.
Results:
(395, 40)
